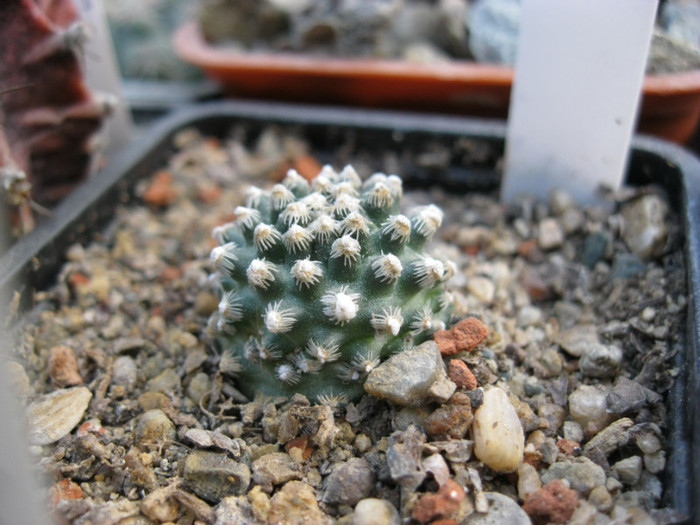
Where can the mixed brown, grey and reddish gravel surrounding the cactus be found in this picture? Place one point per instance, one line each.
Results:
(542, 402)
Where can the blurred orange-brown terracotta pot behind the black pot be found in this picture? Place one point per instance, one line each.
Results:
(670, 104)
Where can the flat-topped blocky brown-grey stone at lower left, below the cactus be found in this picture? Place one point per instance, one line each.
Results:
(213, 475)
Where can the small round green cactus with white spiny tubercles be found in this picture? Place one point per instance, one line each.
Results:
(321, 281)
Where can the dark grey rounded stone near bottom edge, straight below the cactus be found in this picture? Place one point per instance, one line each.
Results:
(349, 482)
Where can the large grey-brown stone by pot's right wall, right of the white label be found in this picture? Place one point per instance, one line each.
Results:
(645, 231)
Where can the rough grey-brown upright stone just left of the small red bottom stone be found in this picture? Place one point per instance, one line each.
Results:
(403, 458)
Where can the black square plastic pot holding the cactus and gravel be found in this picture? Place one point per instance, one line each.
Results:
(32, 263)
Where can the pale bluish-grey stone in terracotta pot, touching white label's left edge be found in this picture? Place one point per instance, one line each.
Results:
(493, 30)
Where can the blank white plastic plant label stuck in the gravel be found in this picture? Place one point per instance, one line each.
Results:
(578, 78)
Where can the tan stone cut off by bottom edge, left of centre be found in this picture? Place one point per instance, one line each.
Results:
(295, 504)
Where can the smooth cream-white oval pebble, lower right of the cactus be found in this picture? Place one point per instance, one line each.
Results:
(499, 439)
